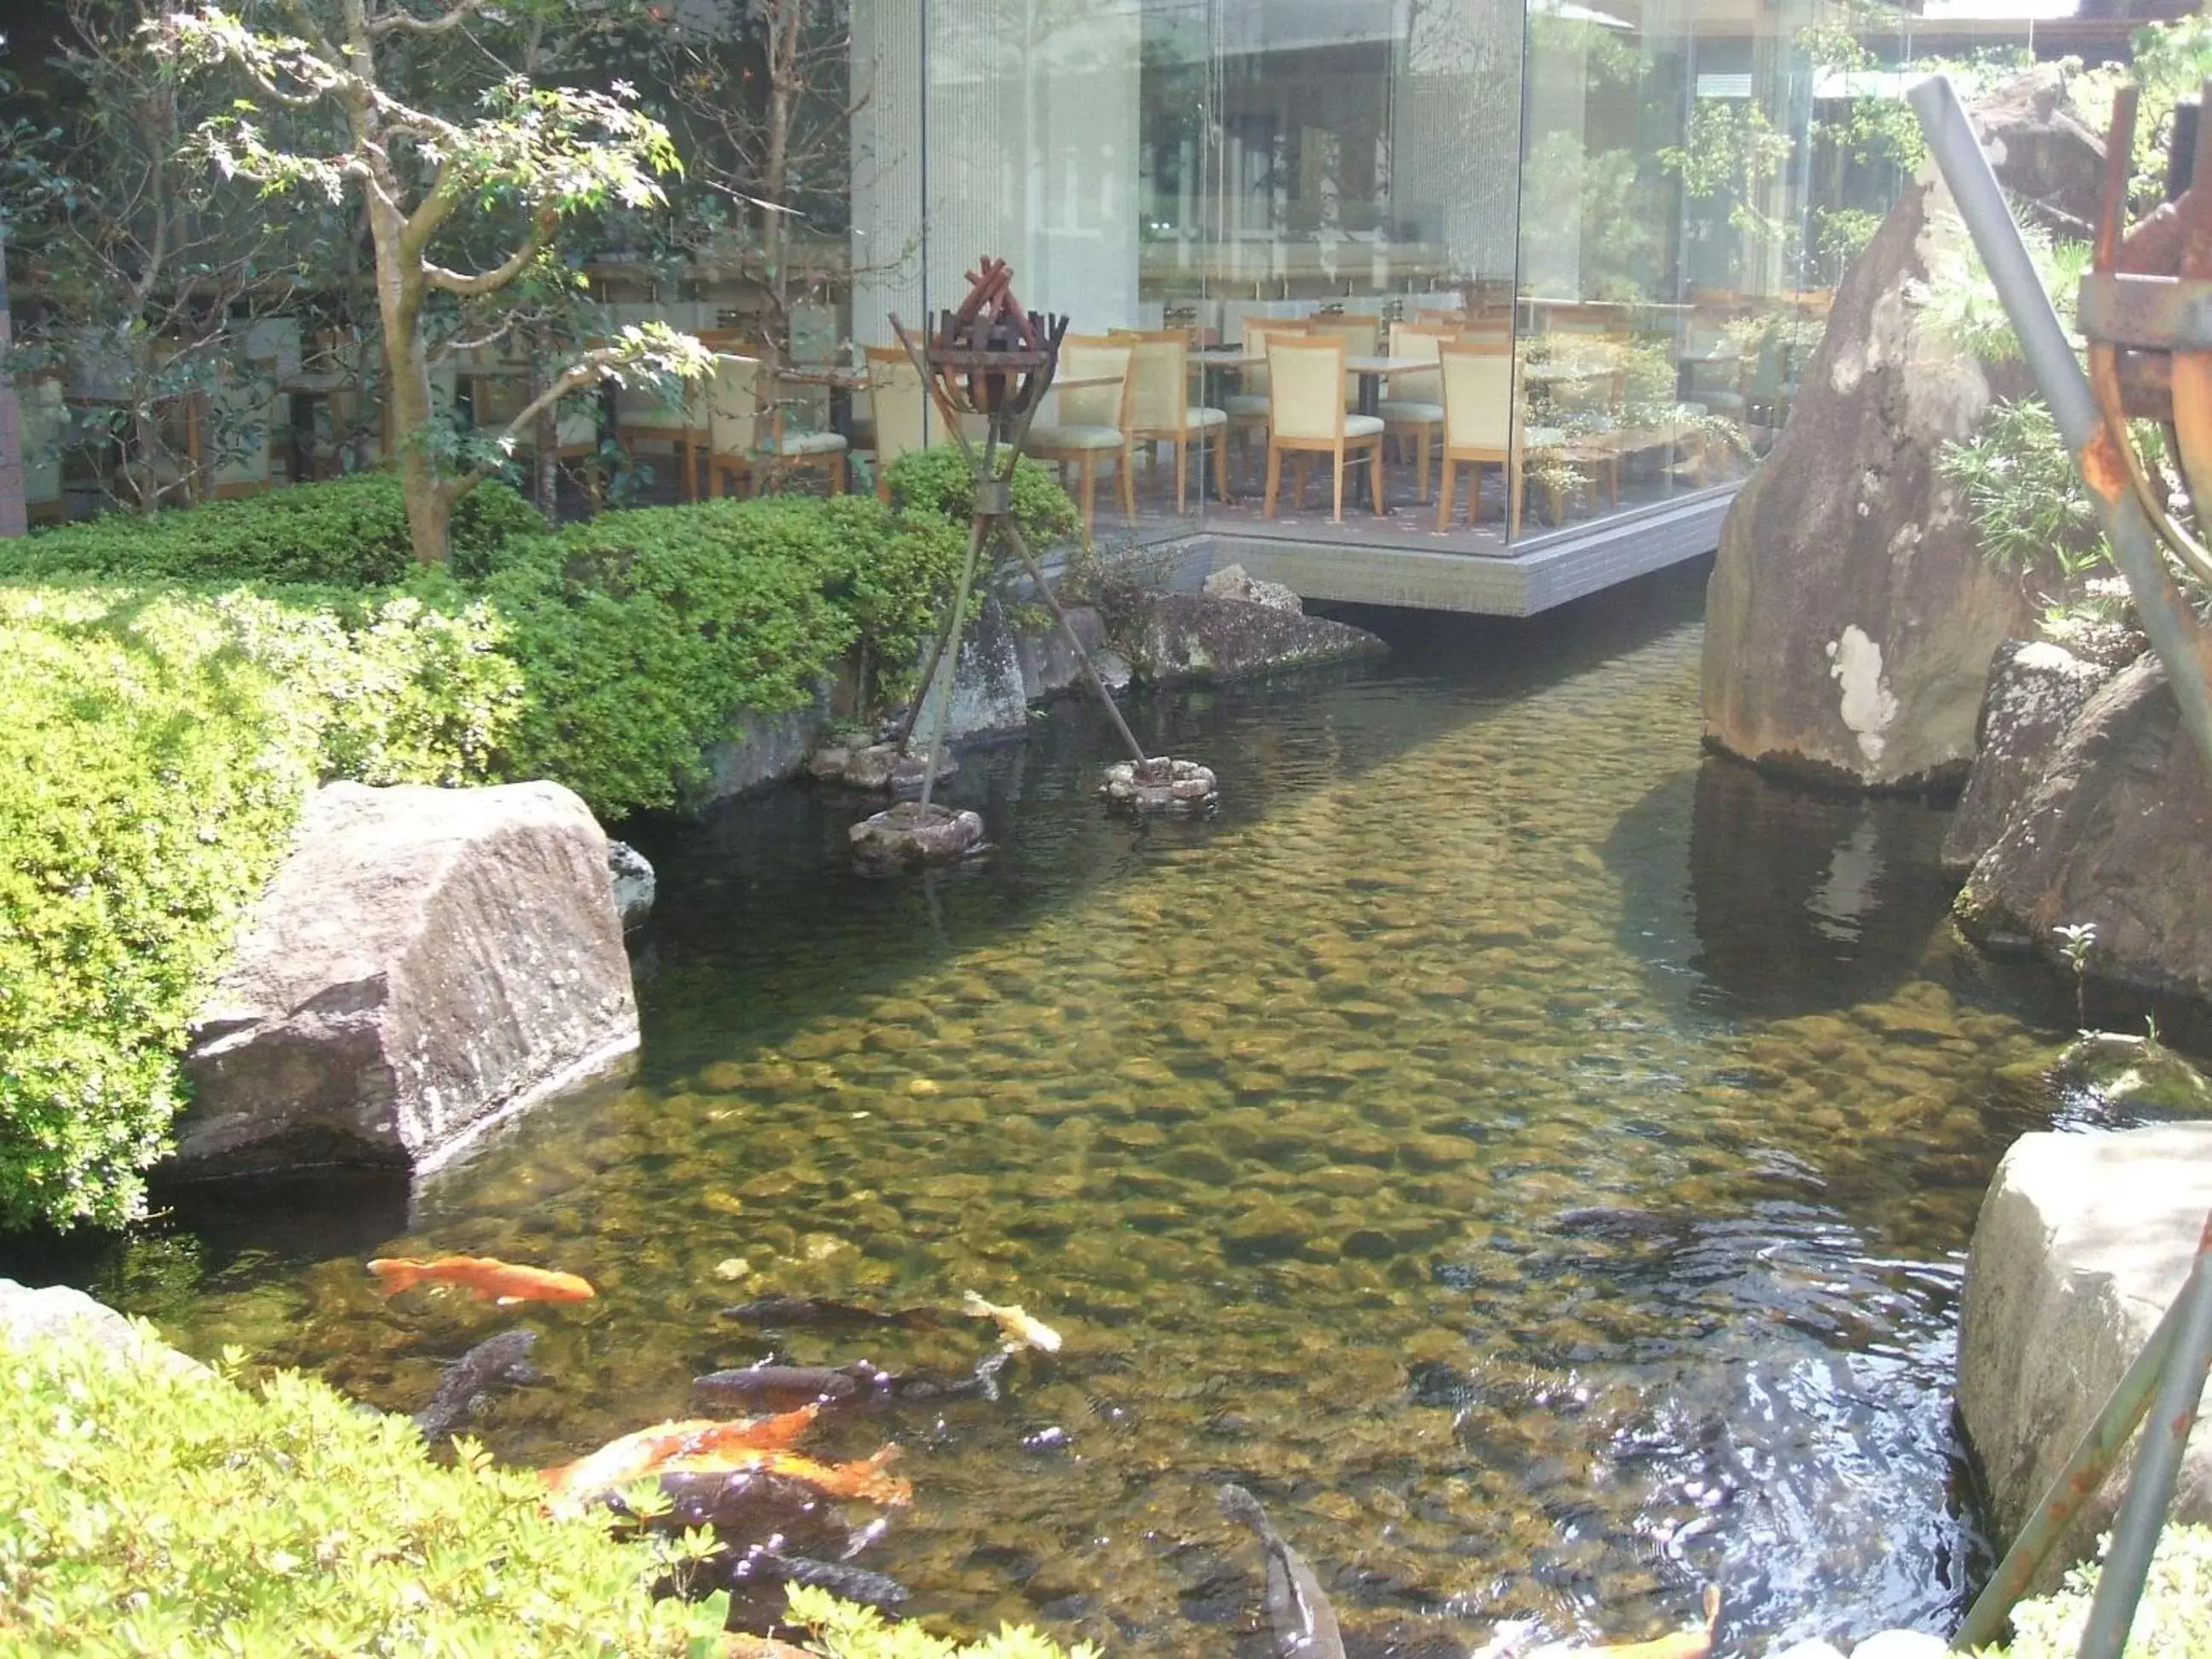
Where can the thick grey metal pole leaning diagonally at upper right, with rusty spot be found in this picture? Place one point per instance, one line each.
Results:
(2136, 547)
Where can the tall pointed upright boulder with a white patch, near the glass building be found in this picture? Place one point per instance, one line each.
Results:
(1850, 618)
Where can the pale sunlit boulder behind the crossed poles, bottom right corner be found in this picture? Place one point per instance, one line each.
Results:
(2080, 1246)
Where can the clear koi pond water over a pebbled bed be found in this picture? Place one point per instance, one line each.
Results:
(1532, 1156)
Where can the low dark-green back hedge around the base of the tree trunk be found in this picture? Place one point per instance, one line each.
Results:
(351, 532)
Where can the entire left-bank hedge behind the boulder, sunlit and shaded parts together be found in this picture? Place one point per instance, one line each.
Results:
(158, 740)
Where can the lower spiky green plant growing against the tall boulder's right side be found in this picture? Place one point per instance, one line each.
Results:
(2023, 492)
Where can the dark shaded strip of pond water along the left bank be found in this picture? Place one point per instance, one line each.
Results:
(749, 866)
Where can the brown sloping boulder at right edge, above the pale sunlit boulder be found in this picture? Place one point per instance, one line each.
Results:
(2118, 835)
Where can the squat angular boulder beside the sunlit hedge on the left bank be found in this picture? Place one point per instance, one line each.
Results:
(426, 963)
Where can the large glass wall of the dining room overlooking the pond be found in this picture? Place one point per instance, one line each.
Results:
(1642, 202)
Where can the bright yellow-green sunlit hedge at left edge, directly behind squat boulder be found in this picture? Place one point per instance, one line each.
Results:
(156, 747)
